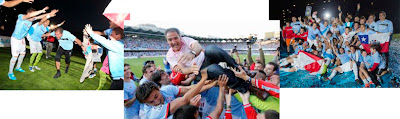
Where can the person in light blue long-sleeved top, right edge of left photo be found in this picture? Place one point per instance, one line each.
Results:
(115, 54)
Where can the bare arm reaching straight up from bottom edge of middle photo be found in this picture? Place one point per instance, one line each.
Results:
(222, 81)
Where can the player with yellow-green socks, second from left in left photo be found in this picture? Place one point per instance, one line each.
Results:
(35, 36)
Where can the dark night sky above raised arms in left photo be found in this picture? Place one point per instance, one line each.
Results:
(77, 13)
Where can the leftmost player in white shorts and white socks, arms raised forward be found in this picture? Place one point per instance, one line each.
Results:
(18, 49)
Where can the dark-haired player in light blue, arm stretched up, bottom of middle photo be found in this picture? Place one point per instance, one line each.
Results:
(164, 101)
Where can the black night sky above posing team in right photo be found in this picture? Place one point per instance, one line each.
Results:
(391, 7)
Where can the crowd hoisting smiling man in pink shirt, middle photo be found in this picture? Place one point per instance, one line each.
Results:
(197, 82)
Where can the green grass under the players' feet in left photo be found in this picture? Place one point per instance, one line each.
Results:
(43, 79)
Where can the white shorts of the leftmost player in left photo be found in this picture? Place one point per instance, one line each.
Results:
(18, 46)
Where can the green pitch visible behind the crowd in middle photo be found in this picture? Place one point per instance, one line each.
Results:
(137, 63)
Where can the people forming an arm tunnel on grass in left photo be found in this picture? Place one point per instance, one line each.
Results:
(112, 64)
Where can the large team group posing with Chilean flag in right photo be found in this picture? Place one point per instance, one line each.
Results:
(339, 44)
